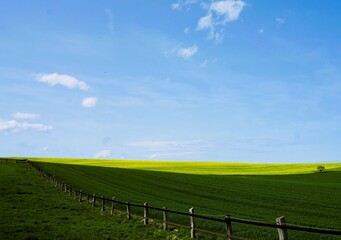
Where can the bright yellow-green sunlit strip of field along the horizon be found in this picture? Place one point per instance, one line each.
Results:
(206, 168)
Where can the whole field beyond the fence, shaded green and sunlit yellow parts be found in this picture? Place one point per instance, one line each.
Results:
(250, 191)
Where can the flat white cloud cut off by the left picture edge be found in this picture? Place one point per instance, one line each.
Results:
(15, 126)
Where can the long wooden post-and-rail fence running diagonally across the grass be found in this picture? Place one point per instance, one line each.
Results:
(104, 202)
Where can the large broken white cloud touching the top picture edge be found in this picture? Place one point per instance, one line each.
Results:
(218, 14)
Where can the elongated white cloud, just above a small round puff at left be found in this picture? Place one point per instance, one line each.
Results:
(68, 81)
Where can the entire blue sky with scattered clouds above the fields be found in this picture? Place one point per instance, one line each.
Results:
(245, 81)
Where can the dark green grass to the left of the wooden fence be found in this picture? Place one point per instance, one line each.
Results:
(31, 208)
